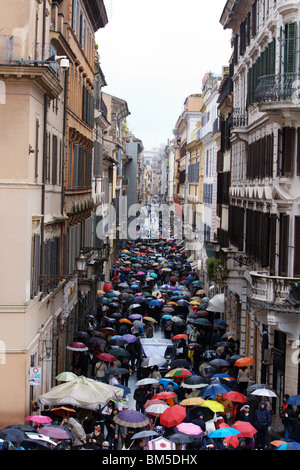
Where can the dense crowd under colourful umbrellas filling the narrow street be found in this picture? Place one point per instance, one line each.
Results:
(153, 292)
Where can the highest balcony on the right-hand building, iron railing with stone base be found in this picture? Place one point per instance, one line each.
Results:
(278, 96)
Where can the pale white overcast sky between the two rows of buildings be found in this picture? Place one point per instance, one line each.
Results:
(155, 53)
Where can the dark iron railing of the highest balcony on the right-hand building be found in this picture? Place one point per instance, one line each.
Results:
(281, 87)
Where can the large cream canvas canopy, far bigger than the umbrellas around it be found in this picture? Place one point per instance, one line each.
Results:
(82, 392)
